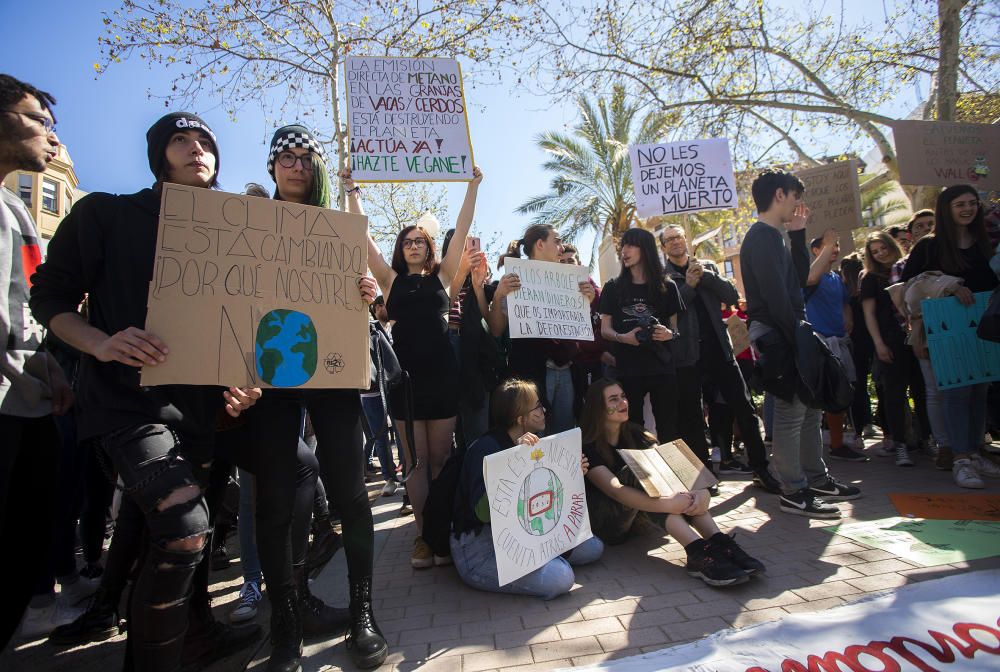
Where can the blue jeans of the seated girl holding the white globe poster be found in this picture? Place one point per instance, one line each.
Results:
(476, 562)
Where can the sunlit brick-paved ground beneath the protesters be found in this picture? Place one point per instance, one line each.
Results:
(636, 599)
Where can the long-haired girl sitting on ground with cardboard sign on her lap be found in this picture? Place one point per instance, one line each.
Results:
(615, 497)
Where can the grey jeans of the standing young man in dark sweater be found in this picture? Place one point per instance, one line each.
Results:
(797, 445)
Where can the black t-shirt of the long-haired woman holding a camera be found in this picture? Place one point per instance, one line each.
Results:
(625, 305)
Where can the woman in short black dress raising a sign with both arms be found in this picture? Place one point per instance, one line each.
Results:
(415, 287)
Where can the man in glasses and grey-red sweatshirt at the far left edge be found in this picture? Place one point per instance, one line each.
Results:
(32, 385)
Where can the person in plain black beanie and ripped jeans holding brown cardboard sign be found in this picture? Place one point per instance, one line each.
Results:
(159, 439)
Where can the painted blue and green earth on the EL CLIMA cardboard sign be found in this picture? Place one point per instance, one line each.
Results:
(286, 348)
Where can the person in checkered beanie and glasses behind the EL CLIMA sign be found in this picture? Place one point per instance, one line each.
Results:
(297, 163)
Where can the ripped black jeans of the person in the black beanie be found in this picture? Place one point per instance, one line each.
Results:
(154, 462)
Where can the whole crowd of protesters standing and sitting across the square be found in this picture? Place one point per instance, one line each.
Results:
(85, 443)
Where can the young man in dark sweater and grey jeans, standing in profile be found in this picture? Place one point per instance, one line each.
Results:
(773, 278)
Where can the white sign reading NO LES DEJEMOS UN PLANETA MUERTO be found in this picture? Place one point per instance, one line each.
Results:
(683, 177)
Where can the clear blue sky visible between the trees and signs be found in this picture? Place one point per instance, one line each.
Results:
(103, 120)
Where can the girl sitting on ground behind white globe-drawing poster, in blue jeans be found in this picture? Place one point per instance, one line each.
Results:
(518, 416)
